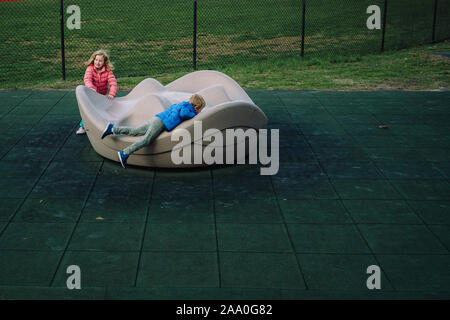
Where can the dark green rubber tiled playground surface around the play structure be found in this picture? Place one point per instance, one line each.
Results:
(347, 195)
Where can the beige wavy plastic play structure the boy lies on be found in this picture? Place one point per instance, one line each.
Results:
(227, 107)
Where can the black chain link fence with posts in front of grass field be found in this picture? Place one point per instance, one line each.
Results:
(151, 37)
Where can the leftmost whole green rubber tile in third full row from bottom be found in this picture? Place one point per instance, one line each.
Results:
(49, 210)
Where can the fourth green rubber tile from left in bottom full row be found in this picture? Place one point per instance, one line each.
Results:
(260, 270)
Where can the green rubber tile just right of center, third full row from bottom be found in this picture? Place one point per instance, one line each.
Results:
(247, 211)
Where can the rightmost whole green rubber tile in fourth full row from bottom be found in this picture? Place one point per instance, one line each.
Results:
(365, 189)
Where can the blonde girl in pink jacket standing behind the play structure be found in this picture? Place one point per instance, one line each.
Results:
(98, 76)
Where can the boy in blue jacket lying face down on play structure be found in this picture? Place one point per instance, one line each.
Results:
(167, 119)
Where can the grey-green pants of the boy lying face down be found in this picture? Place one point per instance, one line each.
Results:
(149, 131)
